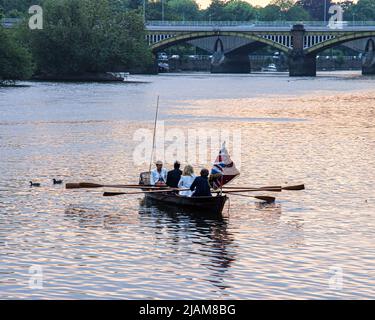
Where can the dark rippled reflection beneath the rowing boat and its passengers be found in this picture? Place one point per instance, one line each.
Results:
(204, 235)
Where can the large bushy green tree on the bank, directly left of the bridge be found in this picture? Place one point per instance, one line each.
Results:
(87, 36)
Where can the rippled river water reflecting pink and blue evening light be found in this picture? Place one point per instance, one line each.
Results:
(315, 244)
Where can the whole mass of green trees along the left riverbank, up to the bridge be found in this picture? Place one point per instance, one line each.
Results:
(78, 37)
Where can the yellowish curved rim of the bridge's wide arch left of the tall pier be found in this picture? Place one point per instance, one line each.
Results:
(158, 46)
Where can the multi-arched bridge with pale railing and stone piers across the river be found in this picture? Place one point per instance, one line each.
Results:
(231, 42)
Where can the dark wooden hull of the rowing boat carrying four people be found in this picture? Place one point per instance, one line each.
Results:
(201, 205)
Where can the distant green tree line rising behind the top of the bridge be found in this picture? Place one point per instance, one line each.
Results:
(224, 10)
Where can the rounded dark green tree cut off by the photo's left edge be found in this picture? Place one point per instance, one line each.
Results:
(15, 60)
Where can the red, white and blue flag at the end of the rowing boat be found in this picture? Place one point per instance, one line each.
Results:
(224, 169)
